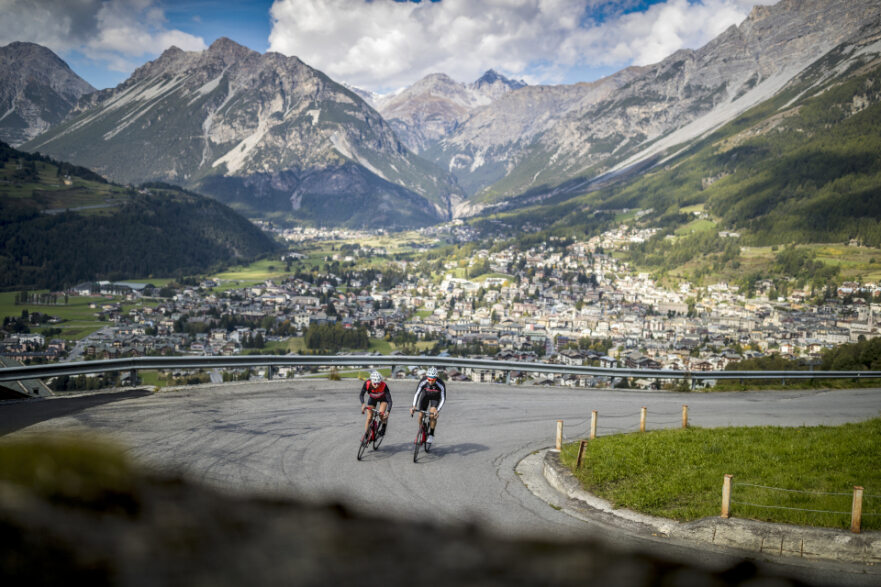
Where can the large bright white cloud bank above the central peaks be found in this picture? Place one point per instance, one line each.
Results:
(382, 44)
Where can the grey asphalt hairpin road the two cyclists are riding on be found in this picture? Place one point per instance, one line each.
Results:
(299, 438)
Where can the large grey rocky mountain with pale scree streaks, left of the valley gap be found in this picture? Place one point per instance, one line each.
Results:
(264, 133)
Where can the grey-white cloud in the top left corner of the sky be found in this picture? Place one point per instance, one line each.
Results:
(119, 33)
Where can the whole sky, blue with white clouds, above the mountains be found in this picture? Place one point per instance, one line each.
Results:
(380, 45)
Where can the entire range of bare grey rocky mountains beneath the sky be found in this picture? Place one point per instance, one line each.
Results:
(275, 138)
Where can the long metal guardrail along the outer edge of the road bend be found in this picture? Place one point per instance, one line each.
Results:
(246, 361)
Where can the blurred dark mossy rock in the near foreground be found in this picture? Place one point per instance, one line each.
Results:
(72, 512)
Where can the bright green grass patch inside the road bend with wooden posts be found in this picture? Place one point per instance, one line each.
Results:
(678, 473)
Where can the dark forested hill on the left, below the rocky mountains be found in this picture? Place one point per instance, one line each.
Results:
(61, 224)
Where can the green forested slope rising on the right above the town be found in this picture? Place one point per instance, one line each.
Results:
(800, 169)
